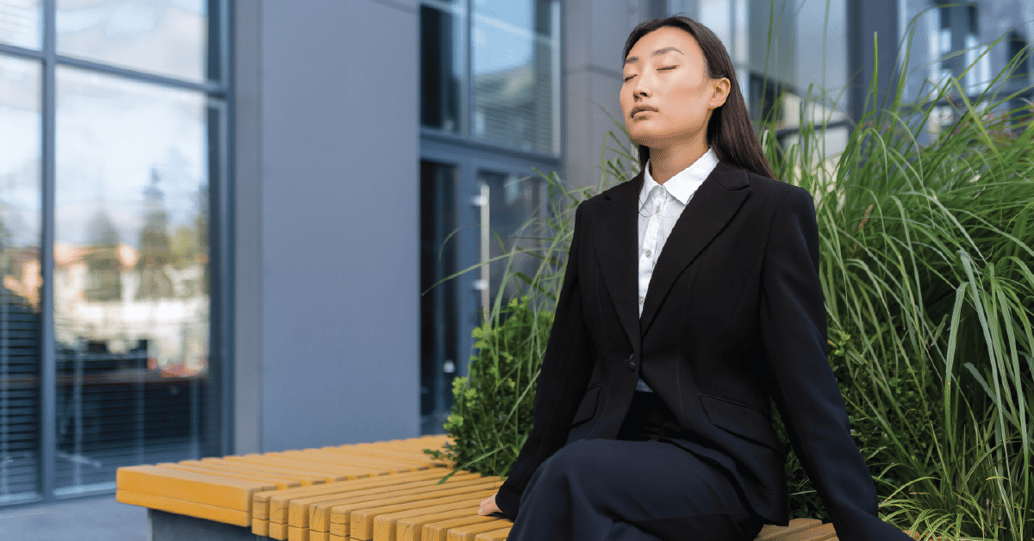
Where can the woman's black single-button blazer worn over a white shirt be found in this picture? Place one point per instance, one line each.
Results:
(734, 317)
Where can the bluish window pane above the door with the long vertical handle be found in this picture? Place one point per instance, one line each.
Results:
(516, 74)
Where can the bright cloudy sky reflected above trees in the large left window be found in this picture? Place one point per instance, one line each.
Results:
(112, 136)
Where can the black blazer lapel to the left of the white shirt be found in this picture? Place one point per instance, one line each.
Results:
(617, 248)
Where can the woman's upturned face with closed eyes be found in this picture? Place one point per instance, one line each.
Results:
(667, 98)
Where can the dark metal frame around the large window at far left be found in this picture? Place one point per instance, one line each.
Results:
(221, 97)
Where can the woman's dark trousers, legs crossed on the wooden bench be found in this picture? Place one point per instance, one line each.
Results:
(638, 488)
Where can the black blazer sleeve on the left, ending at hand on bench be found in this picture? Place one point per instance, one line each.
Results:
(566, 371)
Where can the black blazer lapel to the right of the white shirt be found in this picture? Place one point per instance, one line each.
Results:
(712, 207)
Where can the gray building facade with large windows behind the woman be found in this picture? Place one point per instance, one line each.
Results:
(227, 227)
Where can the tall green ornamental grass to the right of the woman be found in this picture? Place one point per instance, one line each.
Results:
(926, 261)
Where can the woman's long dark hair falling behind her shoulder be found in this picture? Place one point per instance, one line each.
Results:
(729, 132)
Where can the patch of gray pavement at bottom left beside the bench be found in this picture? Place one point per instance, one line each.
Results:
(88, 520)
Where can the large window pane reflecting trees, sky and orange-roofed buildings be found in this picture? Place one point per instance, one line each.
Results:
(132, 274)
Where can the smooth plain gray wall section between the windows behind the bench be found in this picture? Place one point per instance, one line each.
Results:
(327, 269)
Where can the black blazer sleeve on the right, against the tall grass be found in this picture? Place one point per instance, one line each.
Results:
(794, 334)
